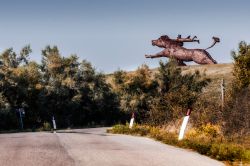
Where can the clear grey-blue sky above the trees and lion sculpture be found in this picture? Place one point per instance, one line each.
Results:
(114, 34)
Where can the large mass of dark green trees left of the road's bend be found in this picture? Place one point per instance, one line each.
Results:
(71, 91)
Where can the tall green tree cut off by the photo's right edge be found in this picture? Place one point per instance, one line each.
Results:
(237, 113)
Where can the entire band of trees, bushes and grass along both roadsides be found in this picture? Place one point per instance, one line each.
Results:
(77, 95)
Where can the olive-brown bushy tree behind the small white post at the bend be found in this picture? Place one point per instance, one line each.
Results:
(136, 91)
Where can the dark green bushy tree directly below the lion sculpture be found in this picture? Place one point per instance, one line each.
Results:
(176, 93)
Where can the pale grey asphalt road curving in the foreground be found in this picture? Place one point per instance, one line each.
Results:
(92, 147)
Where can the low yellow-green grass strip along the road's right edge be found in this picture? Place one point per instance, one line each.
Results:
(207, 140)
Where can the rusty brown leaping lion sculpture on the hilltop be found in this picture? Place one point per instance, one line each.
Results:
(174, 49)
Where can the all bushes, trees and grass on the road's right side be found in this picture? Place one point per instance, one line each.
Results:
(221, 132)
